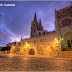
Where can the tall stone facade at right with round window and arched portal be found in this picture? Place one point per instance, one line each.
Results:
(63, 25)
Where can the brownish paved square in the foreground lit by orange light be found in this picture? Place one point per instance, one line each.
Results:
(21, 63)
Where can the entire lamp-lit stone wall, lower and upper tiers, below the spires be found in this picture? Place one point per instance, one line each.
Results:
(47, 45)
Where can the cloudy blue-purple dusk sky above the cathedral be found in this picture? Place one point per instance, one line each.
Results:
(16, 21)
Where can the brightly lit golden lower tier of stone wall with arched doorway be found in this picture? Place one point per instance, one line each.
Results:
(43, 49)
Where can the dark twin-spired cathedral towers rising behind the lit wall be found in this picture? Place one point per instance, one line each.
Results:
(37, 28)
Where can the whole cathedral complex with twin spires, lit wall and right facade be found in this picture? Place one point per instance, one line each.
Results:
(44, 43)
